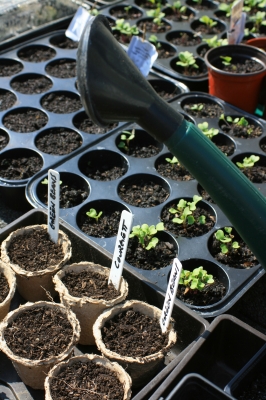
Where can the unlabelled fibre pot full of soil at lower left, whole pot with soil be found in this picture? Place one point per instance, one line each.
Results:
(54, 324)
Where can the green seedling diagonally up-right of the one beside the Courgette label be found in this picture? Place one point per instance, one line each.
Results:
(184, 212)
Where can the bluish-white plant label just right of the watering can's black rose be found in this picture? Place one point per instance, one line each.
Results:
(142, 53)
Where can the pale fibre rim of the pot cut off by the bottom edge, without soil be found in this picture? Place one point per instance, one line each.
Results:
(120, 373)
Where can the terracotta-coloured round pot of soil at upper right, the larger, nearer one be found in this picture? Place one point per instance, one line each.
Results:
(241, 90)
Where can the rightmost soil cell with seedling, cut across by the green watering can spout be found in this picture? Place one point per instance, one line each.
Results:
(228, 253)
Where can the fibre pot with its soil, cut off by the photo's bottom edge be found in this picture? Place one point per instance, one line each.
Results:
(116, 369)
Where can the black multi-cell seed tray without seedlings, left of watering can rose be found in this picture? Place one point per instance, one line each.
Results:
(21, 143)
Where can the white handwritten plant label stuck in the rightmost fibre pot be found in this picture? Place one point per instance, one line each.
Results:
(170, 295)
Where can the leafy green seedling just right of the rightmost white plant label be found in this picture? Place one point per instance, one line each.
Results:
(195, 280)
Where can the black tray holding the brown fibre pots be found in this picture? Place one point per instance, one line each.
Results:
(189, 325)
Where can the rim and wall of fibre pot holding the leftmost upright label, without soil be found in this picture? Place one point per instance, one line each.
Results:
(33, 285)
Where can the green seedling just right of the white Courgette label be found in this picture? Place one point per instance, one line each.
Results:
(145, 234)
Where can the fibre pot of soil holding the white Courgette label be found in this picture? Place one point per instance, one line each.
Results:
(87, 307)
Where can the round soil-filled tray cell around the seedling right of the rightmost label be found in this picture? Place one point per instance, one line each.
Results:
(212, 294)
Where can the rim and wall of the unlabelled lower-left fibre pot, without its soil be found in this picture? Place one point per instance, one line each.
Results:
(32, 371)
